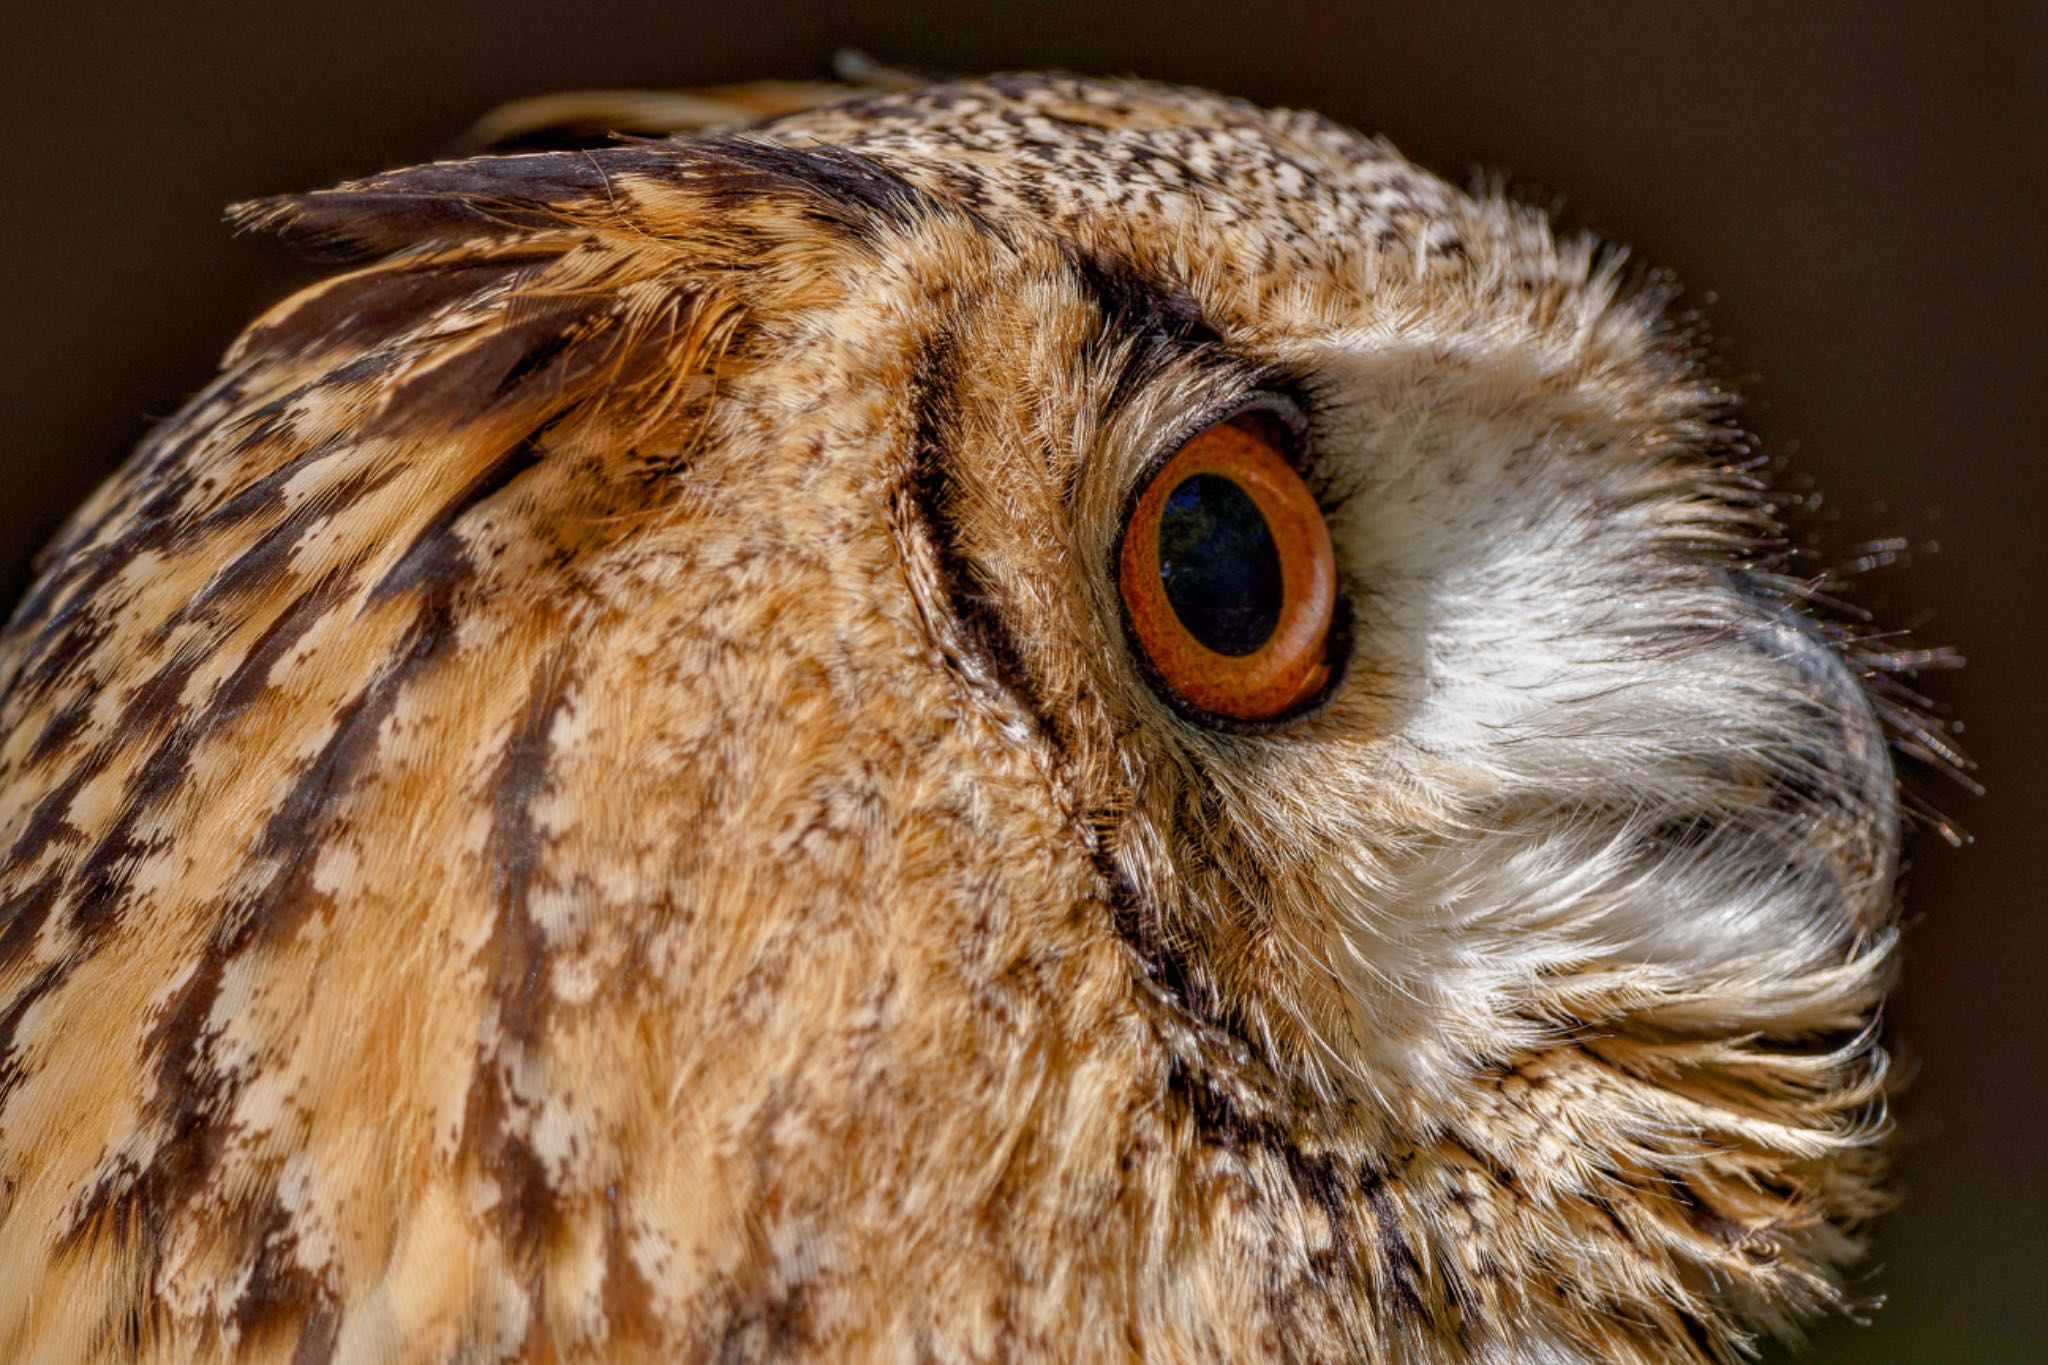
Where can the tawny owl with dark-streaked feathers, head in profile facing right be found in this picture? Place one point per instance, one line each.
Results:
(1002, 721)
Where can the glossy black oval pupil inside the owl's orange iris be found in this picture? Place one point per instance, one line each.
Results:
(1220, 566)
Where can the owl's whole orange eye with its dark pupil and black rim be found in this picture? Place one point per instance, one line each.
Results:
(1228, 578)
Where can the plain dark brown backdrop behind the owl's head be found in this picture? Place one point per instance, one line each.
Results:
(1857, 197)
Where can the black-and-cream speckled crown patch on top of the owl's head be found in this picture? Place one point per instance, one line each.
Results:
(1134, 167)
